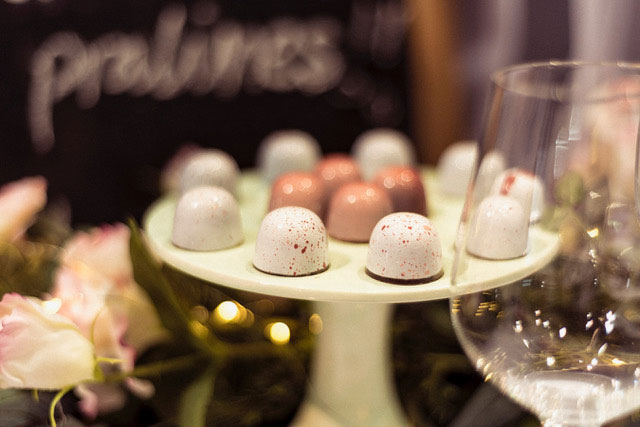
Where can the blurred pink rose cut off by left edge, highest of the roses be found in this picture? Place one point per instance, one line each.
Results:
(19, 202)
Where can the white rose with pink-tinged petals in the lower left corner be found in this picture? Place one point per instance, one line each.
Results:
(39, 348)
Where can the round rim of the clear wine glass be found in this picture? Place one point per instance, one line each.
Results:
(499, 78)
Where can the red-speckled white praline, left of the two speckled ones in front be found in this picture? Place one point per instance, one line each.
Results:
(292, 241)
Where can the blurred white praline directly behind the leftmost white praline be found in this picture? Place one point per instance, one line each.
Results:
(210, 167)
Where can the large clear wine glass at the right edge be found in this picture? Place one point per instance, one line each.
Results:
(554, 185)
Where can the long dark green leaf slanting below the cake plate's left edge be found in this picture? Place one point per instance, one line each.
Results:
(149, 276)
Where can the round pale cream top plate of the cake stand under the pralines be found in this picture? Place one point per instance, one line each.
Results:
(345, 279)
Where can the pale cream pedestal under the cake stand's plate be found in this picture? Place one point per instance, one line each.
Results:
(351, 378)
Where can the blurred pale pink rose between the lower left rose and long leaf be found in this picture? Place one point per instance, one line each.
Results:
(96, 287)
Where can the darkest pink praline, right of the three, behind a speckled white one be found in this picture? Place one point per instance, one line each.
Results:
(404, 186)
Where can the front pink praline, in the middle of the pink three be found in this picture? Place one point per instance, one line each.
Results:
(355, 209)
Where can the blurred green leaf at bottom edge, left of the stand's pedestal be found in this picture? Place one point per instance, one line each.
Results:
(196, 398)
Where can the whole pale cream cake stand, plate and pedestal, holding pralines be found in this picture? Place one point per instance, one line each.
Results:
(351, 381)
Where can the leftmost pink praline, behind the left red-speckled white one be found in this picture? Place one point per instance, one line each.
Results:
(301, 189)
